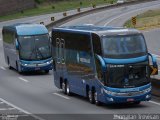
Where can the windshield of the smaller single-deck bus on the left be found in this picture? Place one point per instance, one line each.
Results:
(34, 47)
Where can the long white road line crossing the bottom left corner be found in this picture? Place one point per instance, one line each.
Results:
(20, 109)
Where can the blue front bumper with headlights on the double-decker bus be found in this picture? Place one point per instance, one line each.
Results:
(142, 93)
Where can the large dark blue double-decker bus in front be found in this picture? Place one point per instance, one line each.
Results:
(105, 64)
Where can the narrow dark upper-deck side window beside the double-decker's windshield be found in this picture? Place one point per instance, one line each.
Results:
(96, 44)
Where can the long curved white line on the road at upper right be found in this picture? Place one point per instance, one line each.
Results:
(127, 13)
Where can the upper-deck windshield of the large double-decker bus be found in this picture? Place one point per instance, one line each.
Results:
(124, 46)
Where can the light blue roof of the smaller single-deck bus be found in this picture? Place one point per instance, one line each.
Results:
(28, 29)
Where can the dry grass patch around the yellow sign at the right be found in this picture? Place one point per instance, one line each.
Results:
(147, 20)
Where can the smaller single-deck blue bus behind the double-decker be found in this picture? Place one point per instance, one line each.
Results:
(27, 47)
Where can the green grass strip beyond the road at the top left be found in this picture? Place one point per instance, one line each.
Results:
(53, 7)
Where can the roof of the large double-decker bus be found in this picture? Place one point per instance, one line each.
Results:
(100, 30)
